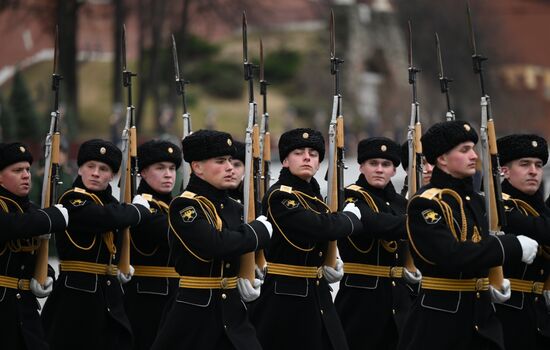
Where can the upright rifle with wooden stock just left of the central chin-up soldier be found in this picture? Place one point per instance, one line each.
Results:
(252, 159)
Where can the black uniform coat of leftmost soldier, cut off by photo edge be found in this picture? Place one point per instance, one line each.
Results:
(20, 220)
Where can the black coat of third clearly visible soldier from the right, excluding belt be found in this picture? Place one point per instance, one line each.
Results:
(373, 309)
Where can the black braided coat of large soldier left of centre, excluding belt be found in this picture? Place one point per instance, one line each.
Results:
(208, 318)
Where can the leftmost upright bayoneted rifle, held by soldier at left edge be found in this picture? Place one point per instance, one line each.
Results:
(51, 167)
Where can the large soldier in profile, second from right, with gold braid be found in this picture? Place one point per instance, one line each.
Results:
(450, 243)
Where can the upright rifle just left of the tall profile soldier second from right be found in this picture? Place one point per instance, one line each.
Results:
(414, 176)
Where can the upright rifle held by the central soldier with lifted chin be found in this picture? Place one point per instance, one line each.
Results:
(335, 175)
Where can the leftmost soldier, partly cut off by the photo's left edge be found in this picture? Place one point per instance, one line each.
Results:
(22, 222)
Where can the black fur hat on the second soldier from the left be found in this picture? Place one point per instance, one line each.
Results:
(102, 151)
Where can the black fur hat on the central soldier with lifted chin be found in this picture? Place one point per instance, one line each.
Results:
(300, 138)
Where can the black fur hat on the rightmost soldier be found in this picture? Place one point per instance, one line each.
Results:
(516, 146)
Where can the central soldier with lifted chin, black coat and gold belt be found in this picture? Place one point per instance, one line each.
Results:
(295, 309)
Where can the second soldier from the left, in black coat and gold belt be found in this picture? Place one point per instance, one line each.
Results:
(85, 310)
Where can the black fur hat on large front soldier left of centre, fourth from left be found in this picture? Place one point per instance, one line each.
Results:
(206, 144)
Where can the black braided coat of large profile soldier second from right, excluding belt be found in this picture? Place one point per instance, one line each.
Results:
(447, 319)
